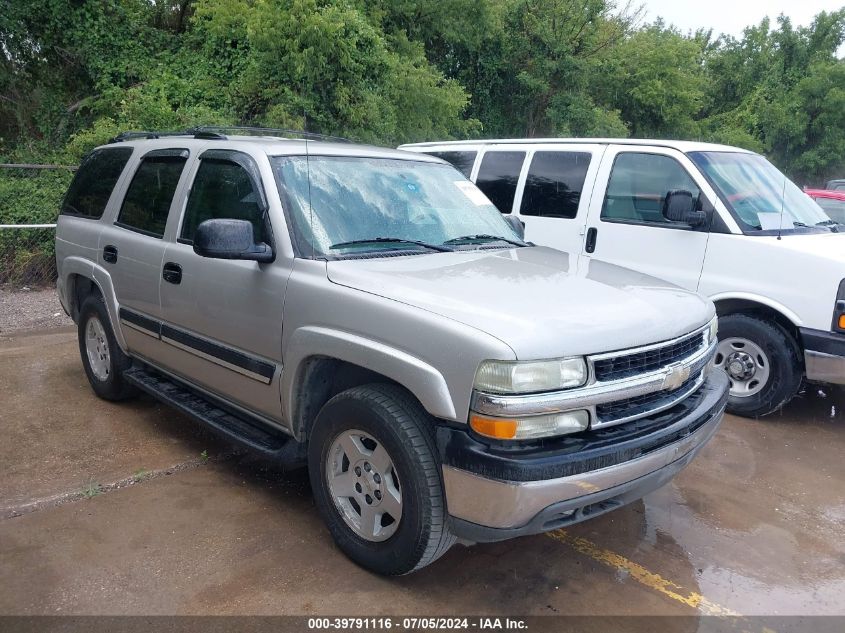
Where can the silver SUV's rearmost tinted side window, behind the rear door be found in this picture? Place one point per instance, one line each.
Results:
(89, 192)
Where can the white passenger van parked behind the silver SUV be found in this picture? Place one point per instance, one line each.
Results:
(716, 219)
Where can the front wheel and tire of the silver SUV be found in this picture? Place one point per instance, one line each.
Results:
(374, 417)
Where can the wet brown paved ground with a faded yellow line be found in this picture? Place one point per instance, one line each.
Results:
(132, 509)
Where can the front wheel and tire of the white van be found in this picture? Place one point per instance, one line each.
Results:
(769, 369)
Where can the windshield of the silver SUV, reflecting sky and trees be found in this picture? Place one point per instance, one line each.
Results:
(378, 205)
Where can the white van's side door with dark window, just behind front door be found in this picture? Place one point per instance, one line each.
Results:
(554, 195)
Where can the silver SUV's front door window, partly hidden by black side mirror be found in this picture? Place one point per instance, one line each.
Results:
(222, 190)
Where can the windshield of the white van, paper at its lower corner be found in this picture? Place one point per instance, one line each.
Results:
(760, 196)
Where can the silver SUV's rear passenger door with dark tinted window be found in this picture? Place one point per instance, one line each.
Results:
(132, 245)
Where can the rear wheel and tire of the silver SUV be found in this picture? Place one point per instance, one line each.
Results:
(102, 358)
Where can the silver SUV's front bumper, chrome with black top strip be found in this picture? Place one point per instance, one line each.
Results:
(496, 493)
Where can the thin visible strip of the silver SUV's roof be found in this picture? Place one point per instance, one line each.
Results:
(270, 145)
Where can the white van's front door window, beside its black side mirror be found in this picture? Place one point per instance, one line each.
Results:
(638, 186)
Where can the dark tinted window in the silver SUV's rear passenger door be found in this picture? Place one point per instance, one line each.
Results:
(150, 193)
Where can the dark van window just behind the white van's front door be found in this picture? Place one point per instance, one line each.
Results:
(554, 184)
